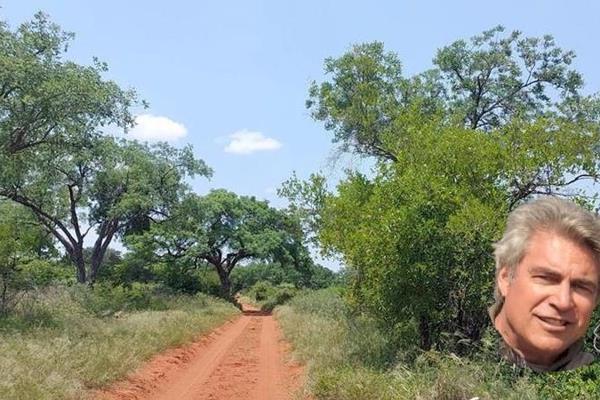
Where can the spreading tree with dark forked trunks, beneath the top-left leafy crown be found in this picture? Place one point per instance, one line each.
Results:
(111, 187)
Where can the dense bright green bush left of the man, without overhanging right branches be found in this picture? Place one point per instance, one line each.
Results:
(418, 240)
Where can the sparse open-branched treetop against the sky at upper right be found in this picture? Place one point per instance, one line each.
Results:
(492, 79)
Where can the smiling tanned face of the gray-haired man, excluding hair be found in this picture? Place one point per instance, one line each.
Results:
(550, 298)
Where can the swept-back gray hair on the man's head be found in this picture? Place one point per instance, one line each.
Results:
(543, 214)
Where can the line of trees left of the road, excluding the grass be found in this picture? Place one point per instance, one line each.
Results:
(63, 180)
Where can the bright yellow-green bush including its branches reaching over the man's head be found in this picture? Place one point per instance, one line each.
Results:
(417, 236)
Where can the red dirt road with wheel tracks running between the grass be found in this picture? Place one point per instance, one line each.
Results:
(243, 359)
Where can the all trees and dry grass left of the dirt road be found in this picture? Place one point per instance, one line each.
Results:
(74, 313)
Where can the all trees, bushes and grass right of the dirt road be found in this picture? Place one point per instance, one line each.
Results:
(499, 119)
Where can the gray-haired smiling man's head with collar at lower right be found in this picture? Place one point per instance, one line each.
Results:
(547, 284)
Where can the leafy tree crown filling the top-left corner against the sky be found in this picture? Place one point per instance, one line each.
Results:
(45, 99)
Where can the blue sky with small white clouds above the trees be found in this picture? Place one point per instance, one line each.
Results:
(231, 77)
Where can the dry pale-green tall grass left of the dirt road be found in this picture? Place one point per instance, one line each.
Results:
(65, 341)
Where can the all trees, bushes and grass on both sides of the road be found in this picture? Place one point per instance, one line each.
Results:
(498, 119)
